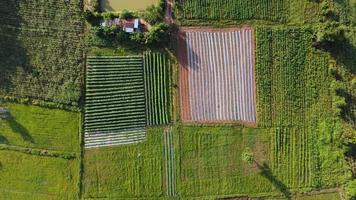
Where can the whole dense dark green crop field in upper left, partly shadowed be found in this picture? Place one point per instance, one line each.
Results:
(41, 50)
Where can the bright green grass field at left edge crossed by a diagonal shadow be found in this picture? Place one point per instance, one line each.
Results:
(37, 127)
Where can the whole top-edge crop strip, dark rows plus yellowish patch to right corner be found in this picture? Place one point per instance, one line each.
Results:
(220, 12)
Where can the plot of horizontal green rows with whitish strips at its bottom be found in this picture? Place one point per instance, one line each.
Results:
(115, 111)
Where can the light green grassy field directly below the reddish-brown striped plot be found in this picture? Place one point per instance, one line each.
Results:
(210, 160)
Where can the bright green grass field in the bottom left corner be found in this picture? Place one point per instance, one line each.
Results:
(36, 177)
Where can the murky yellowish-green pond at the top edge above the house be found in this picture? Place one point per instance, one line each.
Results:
(119, 5)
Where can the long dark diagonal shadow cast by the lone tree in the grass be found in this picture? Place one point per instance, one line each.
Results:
(267, 173)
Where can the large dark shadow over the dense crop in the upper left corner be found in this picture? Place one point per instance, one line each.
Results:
(13, 57)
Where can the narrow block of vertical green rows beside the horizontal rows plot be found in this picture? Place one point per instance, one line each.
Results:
(157, 79)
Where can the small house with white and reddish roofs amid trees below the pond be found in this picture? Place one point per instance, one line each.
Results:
(129, 26)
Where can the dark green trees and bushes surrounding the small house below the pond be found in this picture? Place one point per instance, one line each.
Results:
(157, 36)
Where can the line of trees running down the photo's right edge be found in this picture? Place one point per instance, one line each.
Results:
(331, 36)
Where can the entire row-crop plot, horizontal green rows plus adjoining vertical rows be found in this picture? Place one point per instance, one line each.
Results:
(123, 96)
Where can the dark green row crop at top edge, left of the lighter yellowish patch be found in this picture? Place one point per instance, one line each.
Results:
(273, 10)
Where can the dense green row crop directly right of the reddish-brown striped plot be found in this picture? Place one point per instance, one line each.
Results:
(289, 75)
